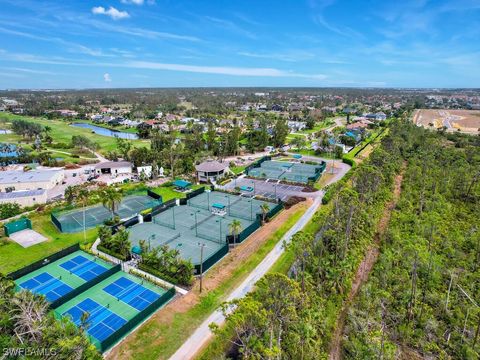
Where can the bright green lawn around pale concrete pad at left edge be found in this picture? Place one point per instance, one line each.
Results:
(14, 256)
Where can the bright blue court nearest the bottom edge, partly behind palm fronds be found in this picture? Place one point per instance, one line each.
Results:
(102, 321)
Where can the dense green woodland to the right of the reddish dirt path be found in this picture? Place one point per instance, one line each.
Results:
(422, 298)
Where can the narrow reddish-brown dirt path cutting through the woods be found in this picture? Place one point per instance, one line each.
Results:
(364, 269)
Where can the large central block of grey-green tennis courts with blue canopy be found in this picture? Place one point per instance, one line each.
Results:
(204, 221)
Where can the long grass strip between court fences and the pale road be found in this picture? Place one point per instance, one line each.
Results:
(146, 345)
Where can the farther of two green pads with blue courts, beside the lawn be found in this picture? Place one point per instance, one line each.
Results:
(59, 278)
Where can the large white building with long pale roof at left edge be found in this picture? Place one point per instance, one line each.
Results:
(30, 180)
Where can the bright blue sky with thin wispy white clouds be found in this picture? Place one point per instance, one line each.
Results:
(178, 43)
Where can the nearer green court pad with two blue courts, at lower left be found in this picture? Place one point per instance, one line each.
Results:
(109, 306)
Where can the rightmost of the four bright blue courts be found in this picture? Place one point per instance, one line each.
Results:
(132, 293)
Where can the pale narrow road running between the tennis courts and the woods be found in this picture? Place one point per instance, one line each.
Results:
(203, 334)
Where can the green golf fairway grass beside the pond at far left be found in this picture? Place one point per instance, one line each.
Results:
(62, 132)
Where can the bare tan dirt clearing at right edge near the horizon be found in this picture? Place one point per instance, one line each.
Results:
(466, 121)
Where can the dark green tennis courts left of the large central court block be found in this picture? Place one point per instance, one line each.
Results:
(72, 221)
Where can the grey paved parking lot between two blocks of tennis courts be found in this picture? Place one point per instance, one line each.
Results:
(270, 189)
